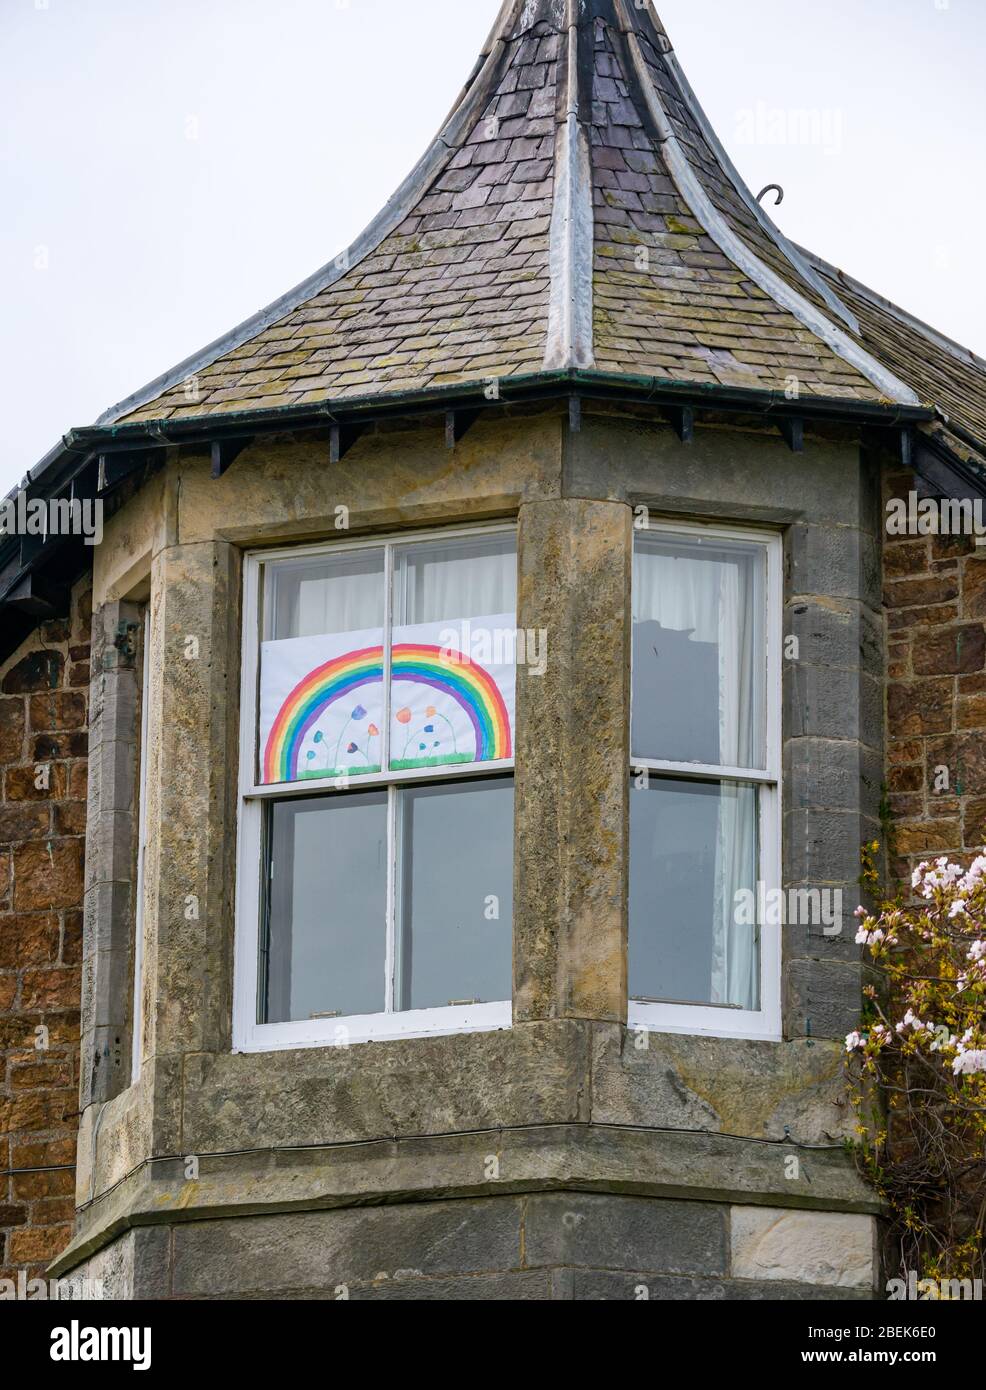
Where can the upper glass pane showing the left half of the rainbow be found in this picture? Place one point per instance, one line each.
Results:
(322, 672)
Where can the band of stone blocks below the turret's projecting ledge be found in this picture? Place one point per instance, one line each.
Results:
(539, 1248)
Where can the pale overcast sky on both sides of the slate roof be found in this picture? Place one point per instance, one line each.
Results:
(170, 166)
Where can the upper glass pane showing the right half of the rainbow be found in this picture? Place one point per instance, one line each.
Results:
(454, 653)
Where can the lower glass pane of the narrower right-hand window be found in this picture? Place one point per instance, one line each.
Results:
(693, 867)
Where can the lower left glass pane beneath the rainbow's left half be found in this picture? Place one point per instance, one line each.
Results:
(328, 908)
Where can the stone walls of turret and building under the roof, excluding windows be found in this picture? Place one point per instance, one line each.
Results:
(672, 1160)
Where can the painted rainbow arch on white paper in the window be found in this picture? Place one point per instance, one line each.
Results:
(462, 680)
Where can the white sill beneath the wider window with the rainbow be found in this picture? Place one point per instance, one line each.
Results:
(375, 1028)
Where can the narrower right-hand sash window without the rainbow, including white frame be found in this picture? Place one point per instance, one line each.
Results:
(704, 793)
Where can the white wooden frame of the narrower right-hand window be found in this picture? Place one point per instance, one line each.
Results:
(714, 1021)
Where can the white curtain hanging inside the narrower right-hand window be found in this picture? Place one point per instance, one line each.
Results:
(718, 598)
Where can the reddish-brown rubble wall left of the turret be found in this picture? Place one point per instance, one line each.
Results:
(44, 749)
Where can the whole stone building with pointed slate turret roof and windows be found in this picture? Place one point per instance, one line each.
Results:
(474, 632)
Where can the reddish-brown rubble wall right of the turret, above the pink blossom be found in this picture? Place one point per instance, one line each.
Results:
(935, 598)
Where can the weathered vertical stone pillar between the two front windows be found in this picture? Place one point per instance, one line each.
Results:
(572, 833)
